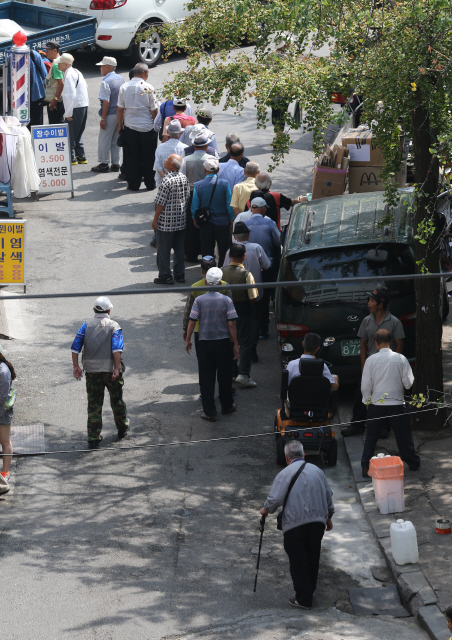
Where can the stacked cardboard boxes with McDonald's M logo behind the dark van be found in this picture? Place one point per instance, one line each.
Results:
(366, 162)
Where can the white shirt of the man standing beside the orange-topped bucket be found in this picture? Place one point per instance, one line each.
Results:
(385, 376)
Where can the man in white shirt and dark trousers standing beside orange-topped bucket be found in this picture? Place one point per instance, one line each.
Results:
(386, 375)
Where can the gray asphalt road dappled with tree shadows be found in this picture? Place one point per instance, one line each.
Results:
(153, 542)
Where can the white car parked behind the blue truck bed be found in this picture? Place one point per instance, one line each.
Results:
(119, 21)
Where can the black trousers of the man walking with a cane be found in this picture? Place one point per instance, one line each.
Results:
(303, 544)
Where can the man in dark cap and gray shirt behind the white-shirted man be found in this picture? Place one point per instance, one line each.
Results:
(378, 318)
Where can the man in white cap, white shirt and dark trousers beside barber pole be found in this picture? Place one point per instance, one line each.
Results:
(75, 100)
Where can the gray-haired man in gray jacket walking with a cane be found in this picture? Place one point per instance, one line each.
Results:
(307, 514)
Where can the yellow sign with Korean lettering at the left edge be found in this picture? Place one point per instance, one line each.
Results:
(12, 252)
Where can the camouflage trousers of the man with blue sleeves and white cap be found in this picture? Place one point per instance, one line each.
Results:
(95, 389)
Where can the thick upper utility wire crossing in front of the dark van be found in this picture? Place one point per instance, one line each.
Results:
(228, 287)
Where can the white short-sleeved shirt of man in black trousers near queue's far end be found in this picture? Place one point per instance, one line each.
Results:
(138, 99)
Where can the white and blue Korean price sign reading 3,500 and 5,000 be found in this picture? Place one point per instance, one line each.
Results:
(53, 157)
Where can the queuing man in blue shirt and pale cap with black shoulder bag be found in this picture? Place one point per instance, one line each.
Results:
(215, 194)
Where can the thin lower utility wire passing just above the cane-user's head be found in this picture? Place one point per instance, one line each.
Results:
(191, 442)
